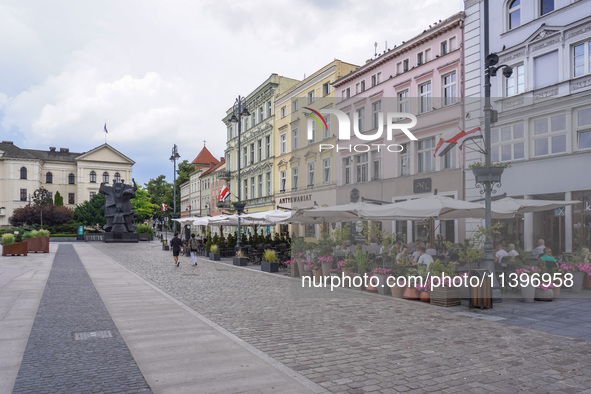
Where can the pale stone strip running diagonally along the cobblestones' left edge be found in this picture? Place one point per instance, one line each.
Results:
(263, 356)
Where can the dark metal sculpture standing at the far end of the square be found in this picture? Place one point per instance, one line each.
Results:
(118, 209)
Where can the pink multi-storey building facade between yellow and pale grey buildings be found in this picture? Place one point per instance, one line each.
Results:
(422, 77)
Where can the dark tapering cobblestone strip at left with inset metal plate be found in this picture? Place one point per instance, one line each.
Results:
(62, 355)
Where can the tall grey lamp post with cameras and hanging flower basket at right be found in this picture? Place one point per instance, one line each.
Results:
(490, 70)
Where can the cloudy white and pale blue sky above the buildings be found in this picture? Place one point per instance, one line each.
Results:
(164, 72)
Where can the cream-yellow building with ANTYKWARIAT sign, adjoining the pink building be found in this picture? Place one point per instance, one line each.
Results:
(304, 175)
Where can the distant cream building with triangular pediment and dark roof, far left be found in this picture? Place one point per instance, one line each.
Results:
(77, 176)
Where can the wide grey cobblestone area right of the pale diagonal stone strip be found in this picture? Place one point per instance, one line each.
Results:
(354, 342)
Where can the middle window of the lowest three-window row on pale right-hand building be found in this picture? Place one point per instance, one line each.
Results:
(549, 135)
